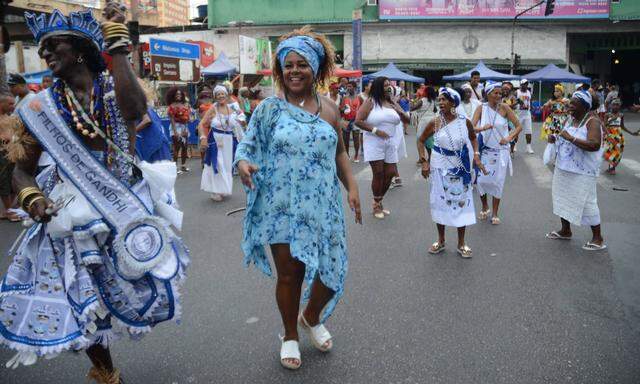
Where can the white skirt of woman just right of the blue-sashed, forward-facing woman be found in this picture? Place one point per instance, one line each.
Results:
(497, 163)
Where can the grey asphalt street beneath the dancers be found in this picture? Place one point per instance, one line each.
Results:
(524, 310)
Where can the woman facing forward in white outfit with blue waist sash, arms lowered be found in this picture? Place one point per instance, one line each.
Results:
(451, 196)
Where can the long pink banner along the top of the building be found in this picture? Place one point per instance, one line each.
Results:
(490, 9)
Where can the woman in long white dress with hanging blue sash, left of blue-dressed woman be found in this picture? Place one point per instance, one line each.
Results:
(218, 132)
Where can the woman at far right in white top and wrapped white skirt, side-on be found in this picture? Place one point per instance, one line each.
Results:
(579, 156)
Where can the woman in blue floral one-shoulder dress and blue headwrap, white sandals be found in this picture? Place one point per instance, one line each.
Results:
(291, 161)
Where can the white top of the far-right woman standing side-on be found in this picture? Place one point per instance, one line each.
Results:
(570, 158)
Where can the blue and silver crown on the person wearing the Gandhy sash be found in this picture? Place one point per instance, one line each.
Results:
(81, 24)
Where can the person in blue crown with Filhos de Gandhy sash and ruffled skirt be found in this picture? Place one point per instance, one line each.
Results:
(90, 211)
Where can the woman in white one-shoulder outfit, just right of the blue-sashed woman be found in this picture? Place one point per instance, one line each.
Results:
(491, 122)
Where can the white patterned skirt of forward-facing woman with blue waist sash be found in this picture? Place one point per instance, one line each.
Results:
(451, 201)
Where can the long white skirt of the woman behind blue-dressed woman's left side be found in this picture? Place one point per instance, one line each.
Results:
(221, 182)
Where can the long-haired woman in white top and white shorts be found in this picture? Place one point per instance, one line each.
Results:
(379, 117)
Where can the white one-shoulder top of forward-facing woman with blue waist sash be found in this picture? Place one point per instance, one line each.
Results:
(453, 137)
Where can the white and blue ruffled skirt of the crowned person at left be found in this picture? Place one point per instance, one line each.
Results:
(63, 290)
